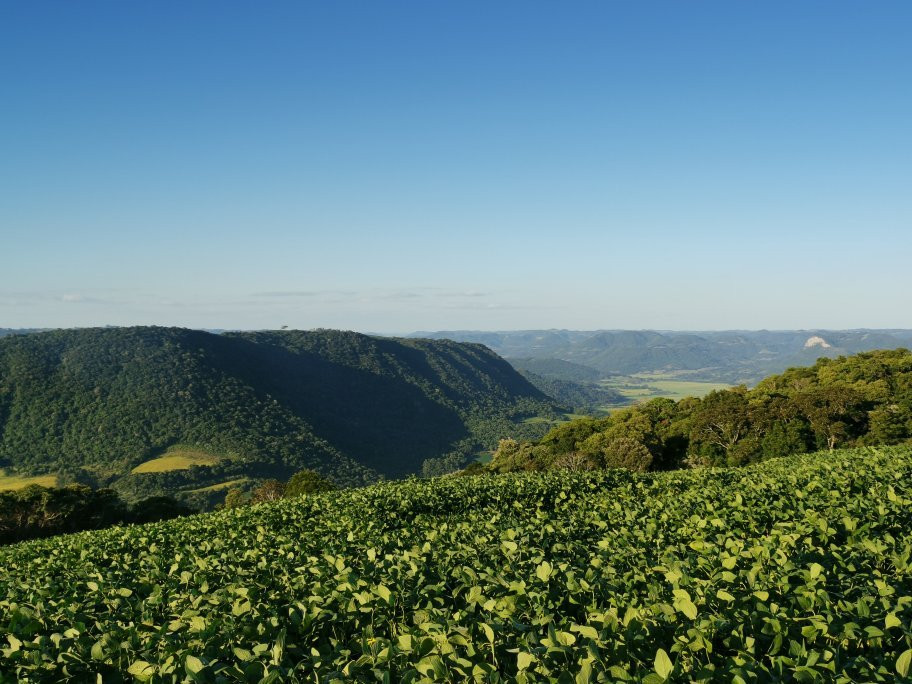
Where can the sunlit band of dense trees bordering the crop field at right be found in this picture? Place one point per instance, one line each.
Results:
(848, 401)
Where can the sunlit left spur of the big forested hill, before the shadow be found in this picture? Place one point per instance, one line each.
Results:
(107, 399)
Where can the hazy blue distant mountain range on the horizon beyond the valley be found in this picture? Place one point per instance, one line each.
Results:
(729, 356)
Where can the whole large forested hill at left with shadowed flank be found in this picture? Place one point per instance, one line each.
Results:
(93, 404)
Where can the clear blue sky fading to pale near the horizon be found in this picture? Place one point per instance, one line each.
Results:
(399, 166)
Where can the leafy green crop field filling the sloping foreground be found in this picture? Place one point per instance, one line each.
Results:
(795, 569)
